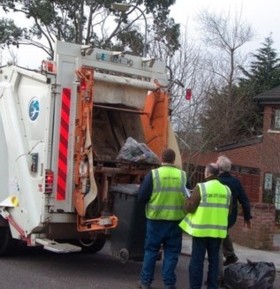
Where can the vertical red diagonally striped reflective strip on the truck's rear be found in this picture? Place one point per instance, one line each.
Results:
(63, 144)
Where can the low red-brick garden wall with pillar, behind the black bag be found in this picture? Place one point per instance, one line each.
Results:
(260, 236)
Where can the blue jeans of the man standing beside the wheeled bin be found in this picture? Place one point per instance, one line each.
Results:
(169, 235)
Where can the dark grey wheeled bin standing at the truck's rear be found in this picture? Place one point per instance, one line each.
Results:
(127, 239)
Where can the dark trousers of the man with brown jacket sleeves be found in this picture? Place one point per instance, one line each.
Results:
(201, 245)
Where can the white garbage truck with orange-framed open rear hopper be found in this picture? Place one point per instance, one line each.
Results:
(66, 182)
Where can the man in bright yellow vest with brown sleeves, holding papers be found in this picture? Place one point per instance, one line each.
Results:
(206, 221)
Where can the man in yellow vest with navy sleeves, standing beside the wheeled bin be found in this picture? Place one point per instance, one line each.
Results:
(164, 191)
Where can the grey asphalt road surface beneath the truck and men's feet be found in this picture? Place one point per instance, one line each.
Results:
(39, 269)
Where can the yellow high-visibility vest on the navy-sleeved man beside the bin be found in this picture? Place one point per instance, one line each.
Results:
(168, 196)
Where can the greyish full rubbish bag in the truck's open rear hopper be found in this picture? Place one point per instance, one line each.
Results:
(137, 152)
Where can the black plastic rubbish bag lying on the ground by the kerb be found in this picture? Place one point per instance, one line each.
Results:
(250, 275)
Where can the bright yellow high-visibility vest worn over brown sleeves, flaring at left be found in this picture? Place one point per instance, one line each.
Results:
(211, 216)
